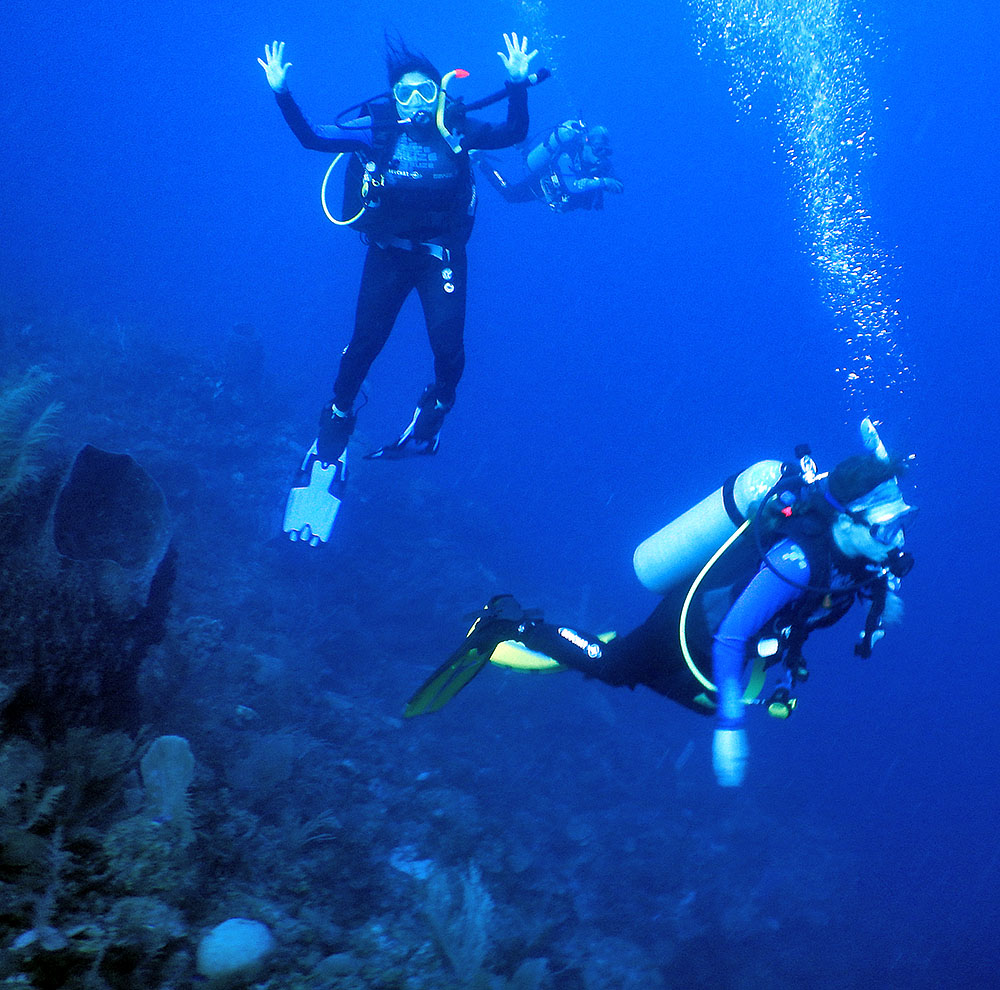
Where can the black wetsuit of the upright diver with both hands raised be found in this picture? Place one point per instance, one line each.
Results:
(418, 237)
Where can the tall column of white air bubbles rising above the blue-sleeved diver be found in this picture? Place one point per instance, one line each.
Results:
(814, 53)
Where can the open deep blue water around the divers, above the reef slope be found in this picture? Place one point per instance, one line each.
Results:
(620, 364)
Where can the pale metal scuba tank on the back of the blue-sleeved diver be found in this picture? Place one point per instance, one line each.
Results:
(679, 549)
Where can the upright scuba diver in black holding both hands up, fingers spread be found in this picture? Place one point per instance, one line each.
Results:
(417, 204)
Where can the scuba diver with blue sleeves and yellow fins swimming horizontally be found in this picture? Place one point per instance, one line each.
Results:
(747, 575)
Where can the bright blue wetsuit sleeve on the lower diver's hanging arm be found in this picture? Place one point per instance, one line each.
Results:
(762, 598)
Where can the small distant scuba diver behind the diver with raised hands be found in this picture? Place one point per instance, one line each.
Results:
(569, 170)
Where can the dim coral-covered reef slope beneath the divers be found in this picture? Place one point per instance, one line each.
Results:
(527, 846)
